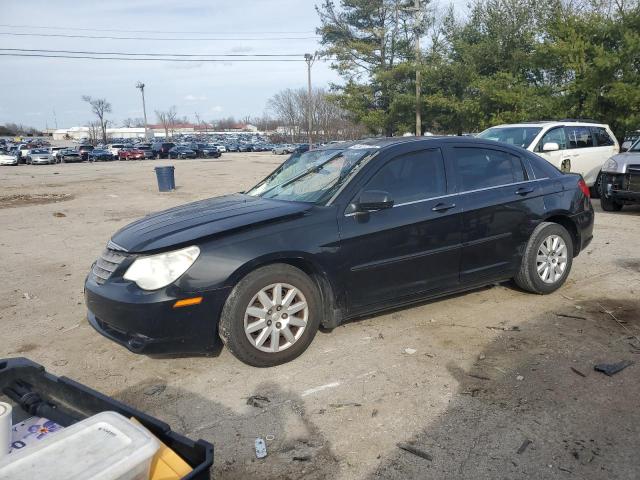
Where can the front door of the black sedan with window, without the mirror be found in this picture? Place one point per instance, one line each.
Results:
(410, 248)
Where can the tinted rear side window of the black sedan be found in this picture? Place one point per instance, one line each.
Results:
(484, 168)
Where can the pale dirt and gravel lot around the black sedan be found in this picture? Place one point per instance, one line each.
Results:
(491, 368)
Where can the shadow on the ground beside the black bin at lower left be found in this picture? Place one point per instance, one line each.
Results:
(296, 447)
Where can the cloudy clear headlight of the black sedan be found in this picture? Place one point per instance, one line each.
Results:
(157, 271)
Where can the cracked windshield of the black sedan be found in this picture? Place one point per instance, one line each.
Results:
(312, 176)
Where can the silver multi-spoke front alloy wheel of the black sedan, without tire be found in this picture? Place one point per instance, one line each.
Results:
(276, 317)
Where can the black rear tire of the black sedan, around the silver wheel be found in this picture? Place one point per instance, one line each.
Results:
(528, 277)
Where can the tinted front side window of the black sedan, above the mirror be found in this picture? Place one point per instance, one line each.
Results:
(410, 177)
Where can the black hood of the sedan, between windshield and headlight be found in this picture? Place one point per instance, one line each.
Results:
(190, 222)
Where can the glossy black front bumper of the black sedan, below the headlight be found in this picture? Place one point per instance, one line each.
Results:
(146, 322)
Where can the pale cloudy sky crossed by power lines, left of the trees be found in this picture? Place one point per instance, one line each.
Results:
(46, 92)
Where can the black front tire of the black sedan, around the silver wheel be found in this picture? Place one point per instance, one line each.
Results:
(245, 295)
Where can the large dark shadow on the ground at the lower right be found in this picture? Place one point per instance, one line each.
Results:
(532, 406)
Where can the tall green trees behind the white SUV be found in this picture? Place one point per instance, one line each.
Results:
(506, 61)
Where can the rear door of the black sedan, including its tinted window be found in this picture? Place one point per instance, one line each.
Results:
(499, 198)
